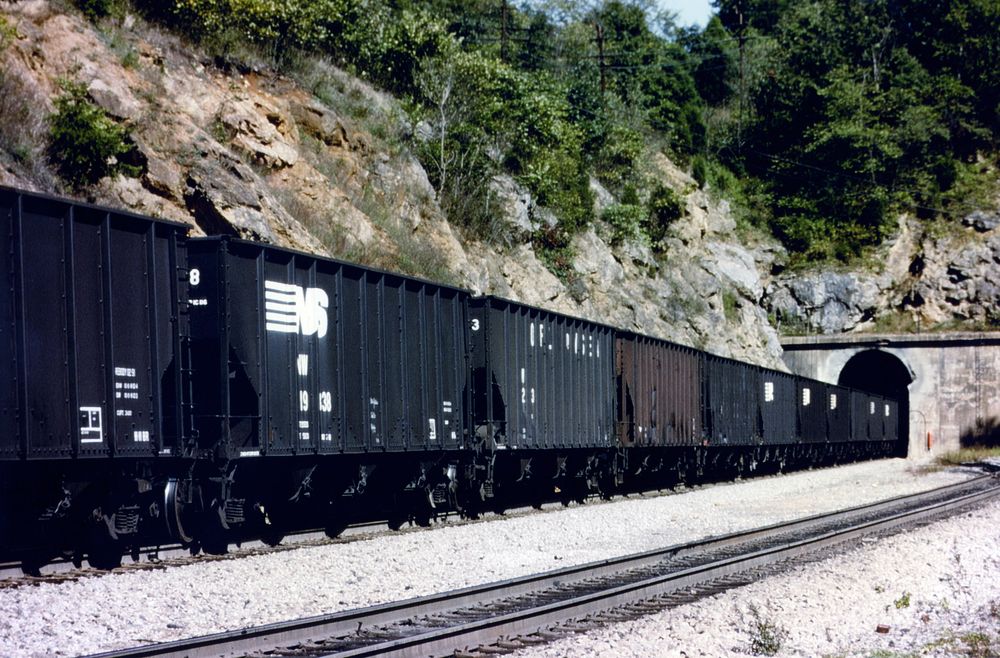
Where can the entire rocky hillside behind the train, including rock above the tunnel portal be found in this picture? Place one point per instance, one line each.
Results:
(309, 156)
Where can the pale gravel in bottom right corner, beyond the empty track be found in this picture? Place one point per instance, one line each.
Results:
(936, 590)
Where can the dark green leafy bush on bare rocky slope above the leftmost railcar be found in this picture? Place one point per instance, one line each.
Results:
(85, 144)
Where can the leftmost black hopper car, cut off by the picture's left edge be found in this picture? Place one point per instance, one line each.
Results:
(90, 387)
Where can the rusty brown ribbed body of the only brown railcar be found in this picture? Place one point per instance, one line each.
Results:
(659, 392)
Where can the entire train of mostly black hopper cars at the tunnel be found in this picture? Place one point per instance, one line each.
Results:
(158, 388)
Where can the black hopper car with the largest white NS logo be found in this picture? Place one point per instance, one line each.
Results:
(298, 356)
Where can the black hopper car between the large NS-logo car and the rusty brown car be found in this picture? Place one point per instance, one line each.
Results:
(543, 400)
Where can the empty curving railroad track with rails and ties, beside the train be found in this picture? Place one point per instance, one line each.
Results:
(501, 617)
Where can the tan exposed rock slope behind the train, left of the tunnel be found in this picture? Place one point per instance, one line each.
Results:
(259, 157)
